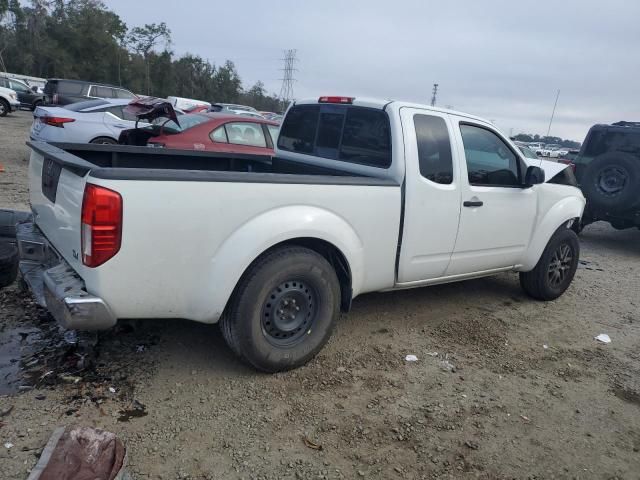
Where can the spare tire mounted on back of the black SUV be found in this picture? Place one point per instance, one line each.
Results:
(611, 182)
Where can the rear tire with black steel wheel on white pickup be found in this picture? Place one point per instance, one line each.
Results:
(283, 310)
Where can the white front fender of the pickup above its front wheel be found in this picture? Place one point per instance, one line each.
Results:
(563, 210)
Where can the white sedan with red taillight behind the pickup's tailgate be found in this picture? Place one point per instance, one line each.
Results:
(92, 121)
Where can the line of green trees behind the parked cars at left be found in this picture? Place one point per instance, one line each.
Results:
(83, 39)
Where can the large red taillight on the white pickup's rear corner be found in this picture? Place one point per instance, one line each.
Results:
(101, 225)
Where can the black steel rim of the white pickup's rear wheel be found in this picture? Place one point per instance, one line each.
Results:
(289, 313)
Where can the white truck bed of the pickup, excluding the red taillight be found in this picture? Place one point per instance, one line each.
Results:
(192, 222)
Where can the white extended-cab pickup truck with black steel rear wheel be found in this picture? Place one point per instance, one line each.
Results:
(361, 196)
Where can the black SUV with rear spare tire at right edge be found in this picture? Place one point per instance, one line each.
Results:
(608, 172)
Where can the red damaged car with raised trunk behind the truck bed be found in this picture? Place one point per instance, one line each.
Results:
(213, 132)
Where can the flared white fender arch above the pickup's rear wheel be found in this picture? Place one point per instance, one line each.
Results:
(249, 241)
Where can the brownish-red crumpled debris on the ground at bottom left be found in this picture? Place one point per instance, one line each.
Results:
(81, 453)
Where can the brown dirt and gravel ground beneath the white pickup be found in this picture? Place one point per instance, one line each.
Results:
(504, 387)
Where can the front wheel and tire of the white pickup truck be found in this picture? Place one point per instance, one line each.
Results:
(556, 268)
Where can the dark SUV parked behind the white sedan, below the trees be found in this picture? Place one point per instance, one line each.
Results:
(62, 92)
